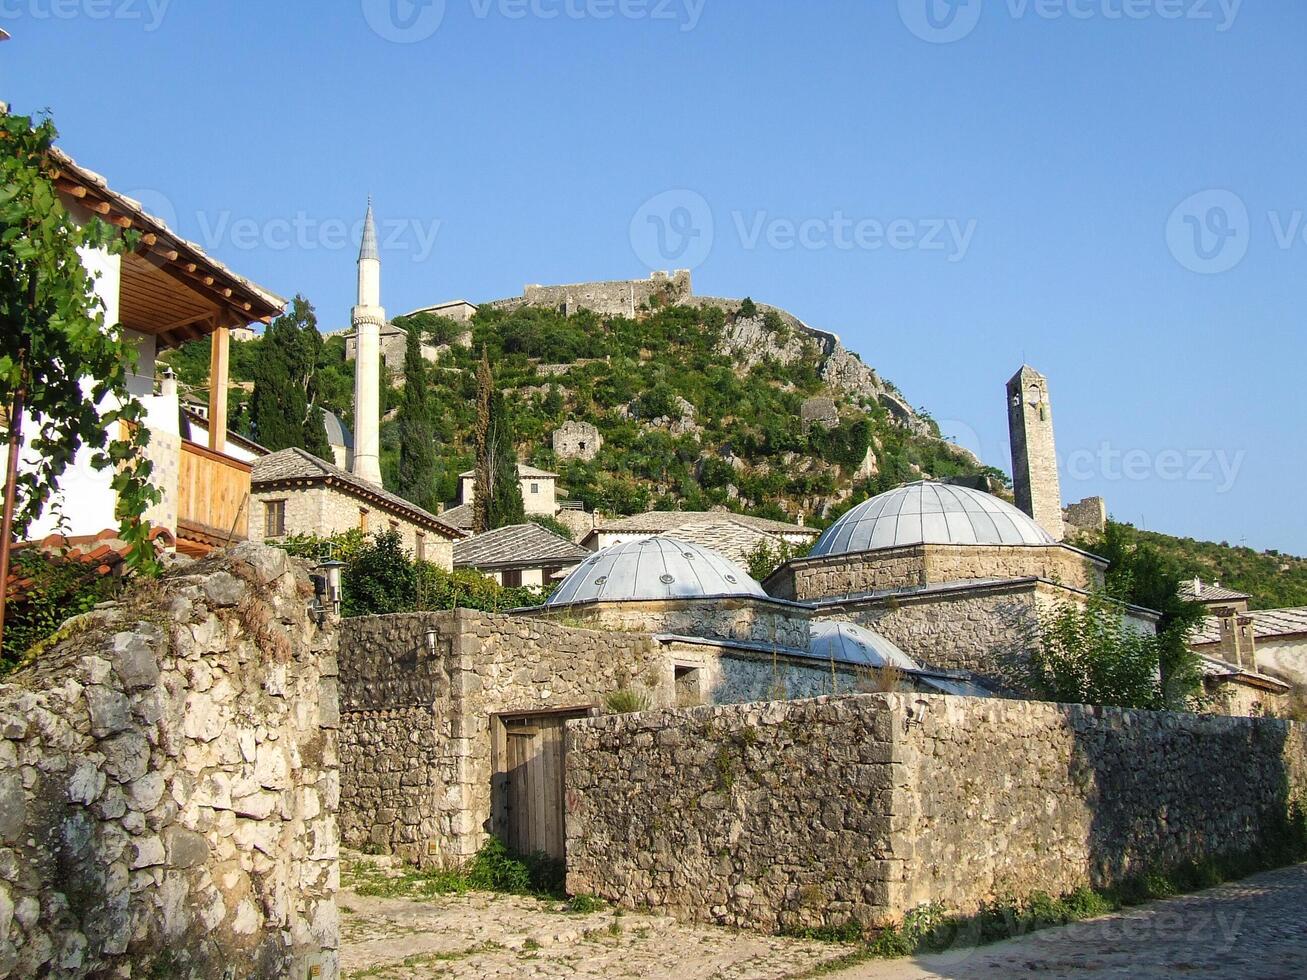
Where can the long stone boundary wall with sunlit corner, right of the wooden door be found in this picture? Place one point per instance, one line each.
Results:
(795, 815)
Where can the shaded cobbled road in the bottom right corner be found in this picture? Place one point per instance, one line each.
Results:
(1255, 928)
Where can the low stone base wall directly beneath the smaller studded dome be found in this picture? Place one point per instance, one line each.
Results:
(744, 620)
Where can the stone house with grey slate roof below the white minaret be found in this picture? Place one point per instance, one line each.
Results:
(296, 493)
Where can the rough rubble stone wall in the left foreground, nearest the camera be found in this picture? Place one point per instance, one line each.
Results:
(169, 785)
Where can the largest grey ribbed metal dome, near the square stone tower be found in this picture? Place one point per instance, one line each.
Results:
(930, 514)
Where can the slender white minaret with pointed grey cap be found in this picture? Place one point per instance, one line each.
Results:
(368, 319)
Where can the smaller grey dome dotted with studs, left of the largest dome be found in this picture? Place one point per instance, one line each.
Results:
(655, 568)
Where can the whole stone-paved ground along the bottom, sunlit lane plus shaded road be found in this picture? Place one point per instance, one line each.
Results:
(1257, 928)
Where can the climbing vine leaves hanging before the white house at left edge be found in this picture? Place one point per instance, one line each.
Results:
(57, 353)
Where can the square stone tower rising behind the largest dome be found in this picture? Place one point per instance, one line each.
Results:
(1034, 458)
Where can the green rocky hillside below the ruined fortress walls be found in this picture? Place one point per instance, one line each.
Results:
(703, 403)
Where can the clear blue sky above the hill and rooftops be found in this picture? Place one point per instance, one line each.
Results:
(1110, 190)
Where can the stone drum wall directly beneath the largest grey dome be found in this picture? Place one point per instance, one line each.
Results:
(914, 566)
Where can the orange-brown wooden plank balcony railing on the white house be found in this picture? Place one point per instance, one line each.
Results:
(214, 500)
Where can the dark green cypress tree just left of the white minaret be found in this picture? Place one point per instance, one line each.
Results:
(284, 407)
